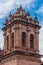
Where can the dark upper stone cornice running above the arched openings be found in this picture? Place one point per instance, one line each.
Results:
(21, 22)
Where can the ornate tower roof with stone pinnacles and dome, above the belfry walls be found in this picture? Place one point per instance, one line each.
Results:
(21, 16)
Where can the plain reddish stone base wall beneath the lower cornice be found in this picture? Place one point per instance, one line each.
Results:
(21, 60)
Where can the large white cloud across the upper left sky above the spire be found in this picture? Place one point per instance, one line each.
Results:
(7, 5)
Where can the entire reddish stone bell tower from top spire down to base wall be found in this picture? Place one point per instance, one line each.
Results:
(21, 39)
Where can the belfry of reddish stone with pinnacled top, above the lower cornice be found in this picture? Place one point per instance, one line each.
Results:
(21, 32)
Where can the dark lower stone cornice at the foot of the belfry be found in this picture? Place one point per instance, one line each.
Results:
(19, 53)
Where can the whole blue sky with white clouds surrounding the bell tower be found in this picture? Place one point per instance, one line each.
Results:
(34, 7)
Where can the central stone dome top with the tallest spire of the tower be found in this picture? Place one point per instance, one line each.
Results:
(20, 14)
